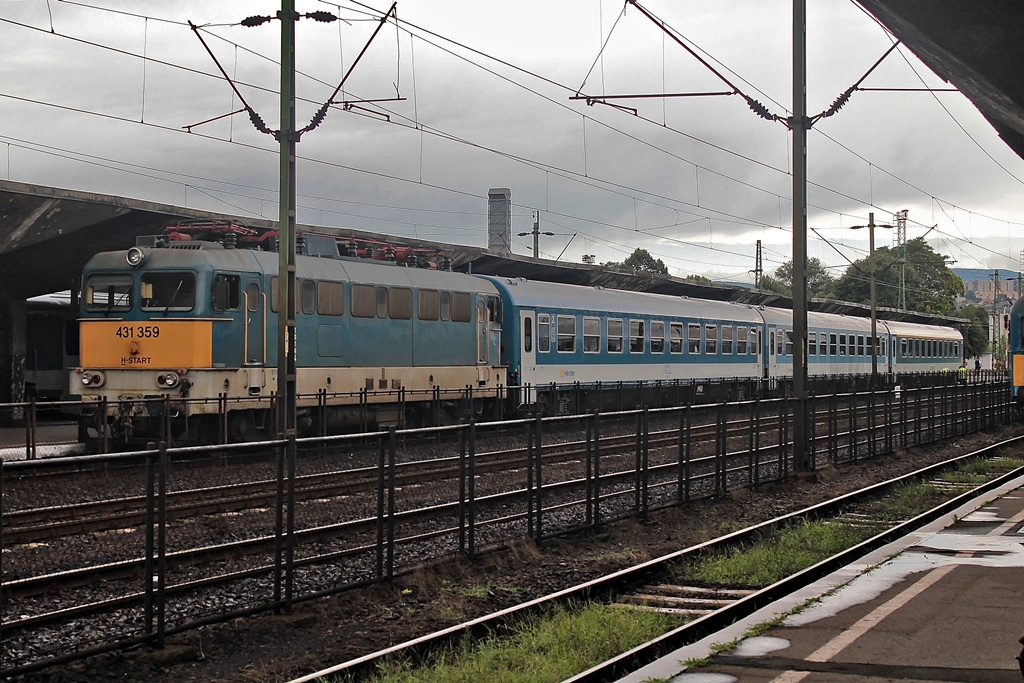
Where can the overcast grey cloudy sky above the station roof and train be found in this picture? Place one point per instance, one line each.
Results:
(99, 96)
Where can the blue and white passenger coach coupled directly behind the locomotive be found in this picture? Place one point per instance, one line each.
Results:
(561, 334)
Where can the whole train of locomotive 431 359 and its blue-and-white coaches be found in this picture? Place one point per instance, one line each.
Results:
(178, 339)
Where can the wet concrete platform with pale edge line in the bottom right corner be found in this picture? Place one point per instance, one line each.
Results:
(946, 604)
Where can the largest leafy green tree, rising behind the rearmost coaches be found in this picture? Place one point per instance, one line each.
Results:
(931, 286)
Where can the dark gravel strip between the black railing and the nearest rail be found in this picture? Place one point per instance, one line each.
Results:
(327, 632)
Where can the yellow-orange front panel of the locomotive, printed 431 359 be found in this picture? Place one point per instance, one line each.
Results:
(147, 345)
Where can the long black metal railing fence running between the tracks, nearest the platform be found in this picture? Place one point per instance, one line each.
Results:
(204, 535)
